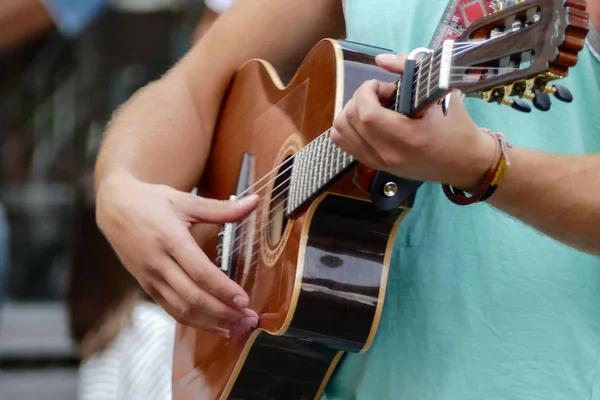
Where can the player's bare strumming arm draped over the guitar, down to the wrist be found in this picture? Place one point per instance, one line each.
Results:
(163, 134)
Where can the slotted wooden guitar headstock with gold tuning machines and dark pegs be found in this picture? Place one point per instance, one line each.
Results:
(517, 51)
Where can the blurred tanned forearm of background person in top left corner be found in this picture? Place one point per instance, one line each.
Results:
(21, 20)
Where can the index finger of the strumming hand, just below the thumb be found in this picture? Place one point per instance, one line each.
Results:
(203, 272)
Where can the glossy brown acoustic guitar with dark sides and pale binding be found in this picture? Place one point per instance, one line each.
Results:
(314, 256)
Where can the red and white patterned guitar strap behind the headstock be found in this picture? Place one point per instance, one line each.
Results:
(459, 14)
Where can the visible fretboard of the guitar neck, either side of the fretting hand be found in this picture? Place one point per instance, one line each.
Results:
(321, 162)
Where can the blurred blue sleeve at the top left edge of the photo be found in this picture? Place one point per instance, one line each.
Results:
(73, 16)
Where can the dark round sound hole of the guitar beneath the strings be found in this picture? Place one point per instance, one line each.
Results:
(277, 218)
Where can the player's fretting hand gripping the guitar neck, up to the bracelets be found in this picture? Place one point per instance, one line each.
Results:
(449, 149)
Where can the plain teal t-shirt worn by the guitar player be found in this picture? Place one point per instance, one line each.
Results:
(479, 305)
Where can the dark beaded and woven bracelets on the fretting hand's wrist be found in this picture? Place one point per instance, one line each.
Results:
(491, 179)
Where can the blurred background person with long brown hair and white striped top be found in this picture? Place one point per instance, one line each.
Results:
(123, 338)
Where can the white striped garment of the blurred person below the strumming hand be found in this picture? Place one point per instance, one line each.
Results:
(137, 365)
